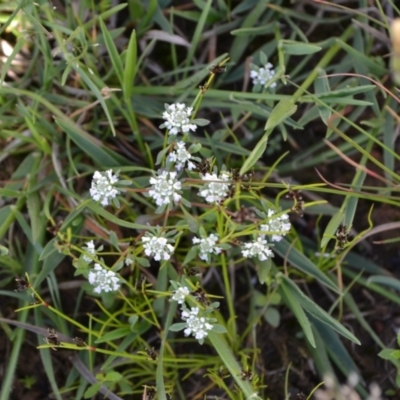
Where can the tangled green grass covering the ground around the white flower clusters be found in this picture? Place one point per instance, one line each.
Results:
(83, 90)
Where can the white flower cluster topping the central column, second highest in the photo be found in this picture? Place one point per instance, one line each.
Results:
(177, 119)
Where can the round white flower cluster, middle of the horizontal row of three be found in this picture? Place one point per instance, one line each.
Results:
(165, 188)
